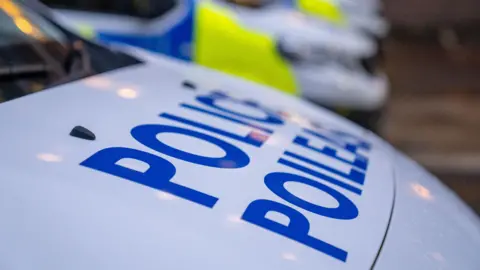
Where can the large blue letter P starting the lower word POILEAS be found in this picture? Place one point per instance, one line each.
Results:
(297, 229)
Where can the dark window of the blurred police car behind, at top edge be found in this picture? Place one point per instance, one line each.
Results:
(136, 8)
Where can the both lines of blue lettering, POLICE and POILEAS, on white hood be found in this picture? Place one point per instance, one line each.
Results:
(161, 171)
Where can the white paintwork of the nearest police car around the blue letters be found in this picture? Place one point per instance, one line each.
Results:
(59, 215)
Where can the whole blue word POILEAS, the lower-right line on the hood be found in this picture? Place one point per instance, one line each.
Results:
(299, 225)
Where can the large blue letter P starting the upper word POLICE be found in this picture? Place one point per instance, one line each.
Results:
(157, 176)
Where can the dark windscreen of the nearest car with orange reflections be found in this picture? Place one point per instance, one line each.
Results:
(36, 54)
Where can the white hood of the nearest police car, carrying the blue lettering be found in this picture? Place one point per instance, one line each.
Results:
(59, 212)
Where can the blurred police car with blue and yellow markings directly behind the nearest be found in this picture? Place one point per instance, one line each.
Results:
(328, 66)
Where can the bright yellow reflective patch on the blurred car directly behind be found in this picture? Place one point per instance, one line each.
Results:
(223, 44)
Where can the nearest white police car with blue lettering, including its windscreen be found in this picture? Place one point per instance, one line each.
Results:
(128, 160)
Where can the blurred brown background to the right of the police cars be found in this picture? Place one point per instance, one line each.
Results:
(433, 60)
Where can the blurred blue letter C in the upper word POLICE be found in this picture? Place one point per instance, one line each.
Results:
(270, 117)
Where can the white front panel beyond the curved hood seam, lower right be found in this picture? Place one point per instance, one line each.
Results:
(431, 227)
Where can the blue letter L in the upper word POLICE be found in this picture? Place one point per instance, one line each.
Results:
(253, 138)
